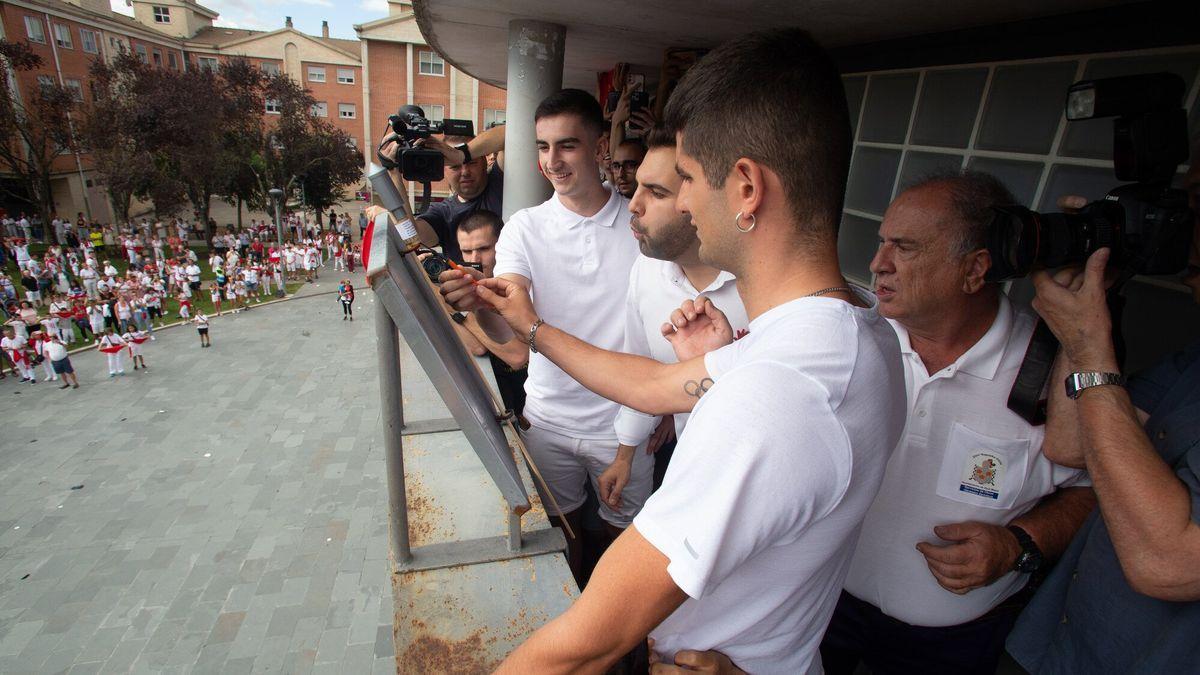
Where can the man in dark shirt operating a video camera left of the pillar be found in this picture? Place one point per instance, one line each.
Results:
(473, 184)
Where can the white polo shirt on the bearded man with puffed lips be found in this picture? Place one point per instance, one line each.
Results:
(656, 290)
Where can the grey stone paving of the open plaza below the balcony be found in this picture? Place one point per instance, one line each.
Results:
(224, 512)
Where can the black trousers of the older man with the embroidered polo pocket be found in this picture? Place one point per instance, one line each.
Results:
(860, 632)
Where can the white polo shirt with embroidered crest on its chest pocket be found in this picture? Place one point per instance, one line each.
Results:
(964, 457)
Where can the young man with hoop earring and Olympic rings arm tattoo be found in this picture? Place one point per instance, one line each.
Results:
(747, 545)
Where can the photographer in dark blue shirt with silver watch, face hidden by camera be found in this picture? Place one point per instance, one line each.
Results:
(1124, 598)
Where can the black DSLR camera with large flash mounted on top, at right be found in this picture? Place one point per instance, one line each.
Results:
(1145, 224)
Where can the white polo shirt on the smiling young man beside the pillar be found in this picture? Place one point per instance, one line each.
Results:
(579, 272)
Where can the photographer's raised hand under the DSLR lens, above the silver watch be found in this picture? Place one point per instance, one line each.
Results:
(1076, 310)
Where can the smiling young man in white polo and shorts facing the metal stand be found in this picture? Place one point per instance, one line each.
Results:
(574, 254)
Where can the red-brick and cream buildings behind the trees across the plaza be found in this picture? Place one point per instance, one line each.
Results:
(357, 83)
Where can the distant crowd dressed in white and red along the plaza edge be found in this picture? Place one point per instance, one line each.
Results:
(88, 301)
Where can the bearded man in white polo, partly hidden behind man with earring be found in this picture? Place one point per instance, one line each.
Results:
(668, 273)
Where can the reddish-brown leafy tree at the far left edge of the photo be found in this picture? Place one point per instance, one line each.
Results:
(35, 126)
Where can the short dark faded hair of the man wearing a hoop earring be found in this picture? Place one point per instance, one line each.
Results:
(775, 98)
